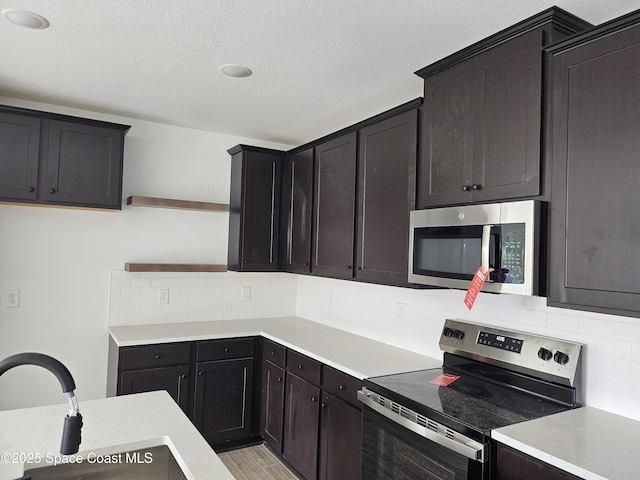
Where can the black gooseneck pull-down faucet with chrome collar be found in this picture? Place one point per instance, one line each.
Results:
(71, 437)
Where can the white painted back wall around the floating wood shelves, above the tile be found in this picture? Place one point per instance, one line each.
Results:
(61, 259)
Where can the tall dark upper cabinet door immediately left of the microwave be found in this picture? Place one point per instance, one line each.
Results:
(386, 194)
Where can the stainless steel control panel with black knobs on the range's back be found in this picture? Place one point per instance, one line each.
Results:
(551, 358)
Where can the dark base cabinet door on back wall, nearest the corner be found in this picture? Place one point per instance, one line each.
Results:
(223, 399)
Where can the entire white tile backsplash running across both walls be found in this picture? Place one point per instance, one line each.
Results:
(611, 357)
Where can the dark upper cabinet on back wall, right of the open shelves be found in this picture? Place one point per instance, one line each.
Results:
(254, 208)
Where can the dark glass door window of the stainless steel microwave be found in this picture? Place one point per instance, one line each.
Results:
(449, 252)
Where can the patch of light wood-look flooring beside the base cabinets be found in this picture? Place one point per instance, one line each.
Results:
(256, 463)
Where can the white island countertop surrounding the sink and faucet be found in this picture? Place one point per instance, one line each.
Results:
(128, 422)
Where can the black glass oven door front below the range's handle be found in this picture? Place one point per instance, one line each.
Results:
(390, 451)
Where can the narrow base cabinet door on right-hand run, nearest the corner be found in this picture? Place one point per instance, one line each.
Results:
(272, 414)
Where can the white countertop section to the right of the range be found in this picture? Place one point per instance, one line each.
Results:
(587, 442)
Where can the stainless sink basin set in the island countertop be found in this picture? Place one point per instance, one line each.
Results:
(152, 463)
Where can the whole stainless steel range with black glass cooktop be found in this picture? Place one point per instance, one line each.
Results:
(437, 423)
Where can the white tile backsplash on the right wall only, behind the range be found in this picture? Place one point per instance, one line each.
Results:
(611, 366)
